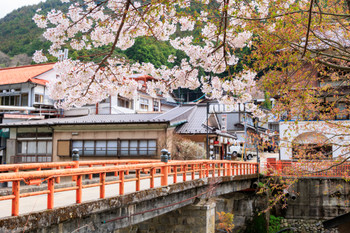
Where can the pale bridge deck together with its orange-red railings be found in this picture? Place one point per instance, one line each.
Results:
(128, 179)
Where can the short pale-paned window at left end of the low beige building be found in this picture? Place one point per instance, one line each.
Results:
(34, 147)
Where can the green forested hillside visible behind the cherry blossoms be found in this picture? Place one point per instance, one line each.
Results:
(20, 37)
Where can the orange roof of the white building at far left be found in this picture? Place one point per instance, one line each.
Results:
(23, 74)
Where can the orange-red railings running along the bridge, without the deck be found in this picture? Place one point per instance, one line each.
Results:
(137, 173)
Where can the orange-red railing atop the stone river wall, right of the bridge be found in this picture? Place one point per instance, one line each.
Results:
(320, 168)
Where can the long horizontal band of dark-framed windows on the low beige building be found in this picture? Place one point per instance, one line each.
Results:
(116, 147)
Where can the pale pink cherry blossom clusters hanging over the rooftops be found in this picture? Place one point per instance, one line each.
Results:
(119, 22)
